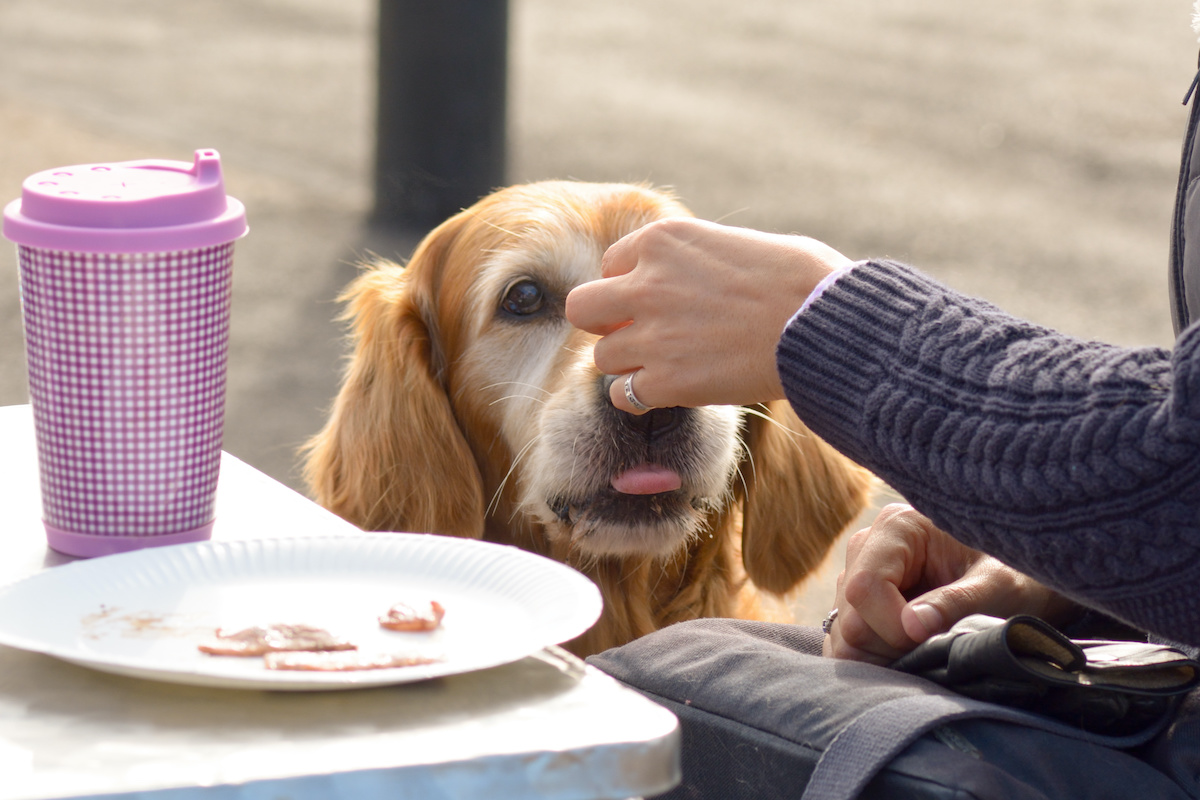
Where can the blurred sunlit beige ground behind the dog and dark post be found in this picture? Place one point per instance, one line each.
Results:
(1025, 152)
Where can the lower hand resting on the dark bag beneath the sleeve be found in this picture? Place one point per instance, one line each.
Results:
(907, 580)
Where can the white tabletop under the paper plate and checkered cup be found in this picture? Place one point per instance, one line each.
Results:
(548, 726)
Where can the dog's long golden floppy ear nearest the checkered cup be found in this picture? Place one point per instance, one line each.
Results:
(392, 456)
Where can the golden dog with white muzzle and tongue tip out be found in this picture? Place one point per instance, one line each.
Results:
(471, 407)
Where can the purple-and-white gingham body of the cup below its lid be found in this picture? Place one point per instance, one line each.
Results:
(127, 358)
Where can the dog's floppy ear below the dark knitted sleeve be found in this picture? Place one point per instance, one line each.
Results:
(800, 496)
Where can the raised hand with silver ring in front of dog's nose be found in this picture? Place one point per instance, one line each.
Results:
(697, 310)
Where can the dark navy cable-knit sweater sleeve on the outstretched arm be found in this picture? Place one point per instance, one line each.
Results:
(1076, 462)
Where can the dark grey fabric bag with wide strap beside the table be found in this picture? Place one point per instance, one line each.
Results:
(764, 715)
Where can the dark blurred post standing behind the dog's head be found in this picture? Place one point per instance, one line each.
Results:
(441, 109)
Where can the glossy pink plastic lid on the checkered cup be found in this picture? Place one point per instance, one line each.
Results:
(133, 207)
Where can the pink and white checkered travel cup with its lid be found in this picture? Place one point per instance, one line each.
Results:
(125, 284)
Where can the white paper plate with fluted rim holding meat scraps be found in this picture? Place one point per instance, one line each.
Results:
(143, 613)
